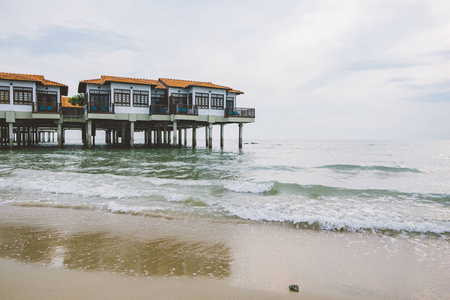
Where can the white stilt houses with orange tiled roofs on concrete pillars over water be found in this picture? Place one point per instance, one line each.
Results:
(164, 110)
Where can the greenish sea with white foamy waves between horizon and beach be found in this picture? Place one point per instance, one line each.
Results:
(337, 185)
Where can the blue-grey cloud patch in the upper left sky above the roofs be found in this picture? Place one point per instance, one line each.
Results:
(67, 41)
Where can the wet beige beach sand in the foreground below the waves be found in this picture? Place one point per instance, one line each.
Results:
(60, 253)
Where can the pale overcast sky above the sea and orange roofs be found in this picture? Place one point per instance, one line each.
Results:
(315, 69)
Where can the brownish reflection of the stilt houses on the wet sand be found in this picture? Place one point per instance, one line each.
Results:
(103, 251)
